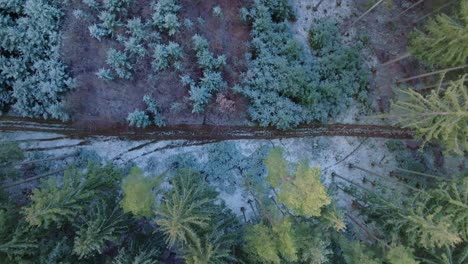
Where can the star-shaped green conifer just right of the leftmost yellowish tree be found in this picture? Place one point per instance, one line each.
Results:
(185, 208)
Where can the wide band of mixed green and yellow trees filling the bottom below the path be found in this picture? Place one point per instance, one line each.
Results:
(99, 213)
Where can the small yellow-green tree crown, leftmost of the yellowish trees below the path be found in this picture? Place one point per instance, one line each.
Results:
(139, 198)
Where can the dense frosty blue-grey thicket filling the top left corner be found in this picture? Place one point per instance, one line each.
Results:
(33, 80)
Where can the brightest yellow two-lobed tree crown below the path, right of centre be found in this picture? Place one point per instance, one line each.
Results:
(301, 191)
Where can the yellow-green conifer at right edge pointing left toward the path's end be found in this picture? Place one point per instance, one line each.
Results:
(439, 116)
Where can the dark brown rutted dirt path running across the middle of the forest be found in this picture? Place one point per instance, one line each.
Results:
(206, 132)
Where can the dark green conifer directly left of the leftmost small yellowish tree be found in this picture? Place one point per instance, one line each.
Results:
(59, 201)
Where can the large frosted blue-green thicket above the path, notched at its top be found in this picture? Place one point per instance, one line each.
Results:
(302, 89)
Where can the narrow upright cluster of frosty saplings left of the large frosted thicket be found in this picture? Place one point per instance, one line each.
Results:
(211, 82)
